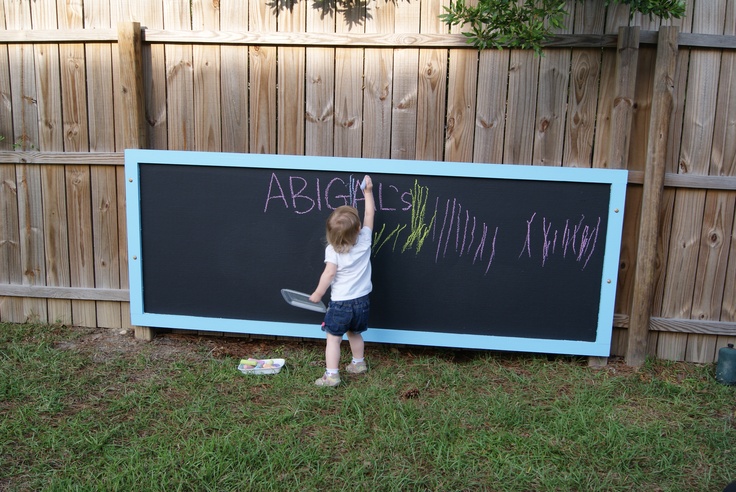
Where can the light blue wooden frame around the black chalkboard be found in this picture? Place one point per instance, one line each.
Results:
(600, 347)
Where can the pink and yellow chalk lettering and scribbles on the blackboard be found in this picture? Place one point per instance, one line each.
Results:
(450, 228)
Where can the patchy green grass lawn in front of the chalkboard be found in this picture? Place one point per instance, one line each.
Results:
(75, 415)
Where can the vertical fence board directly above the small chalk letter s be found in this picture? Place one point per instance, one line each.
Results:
(405, 78)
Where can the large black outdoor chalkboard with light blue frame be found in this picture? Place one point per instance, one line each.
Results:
(464, 255)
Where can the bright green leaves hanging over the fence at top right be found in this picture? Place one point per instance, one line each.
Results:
(527, 24)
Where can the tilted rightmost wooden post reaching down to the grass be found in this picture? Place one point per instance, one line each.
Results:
(644, 275)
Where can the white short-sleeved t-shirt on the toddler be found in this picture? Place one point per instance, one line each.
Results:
(353, 277)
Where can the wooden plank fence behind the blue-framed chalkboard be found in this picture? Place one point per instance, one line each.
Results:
(383, 79)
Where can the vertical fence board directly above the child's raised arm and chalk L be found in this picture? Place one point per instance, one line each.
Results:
(378, 83)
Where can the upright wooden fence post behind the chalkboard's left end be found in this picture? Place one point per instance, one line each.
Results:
(132, 120)
